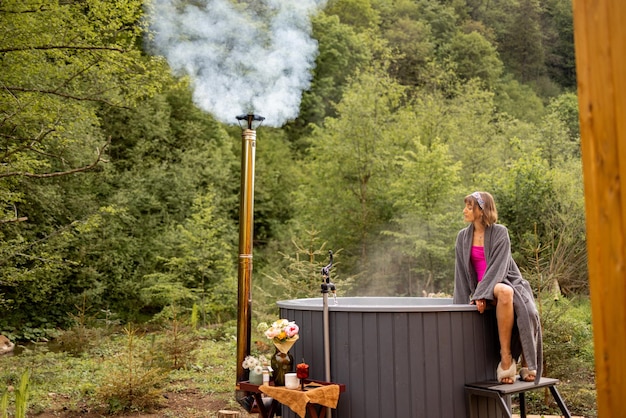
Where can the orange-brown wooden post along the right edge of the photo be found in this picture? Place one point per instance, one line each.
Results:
(600, 42)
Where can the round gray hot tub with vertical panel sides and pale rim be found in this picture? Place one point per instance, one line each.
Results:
(397, 356)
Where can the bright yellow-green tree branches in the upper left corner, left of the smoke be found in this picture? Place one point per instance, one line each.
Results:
(59, 63)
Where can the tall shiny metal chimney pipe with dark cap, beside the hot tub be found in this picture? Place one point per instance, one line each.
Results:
(246, 224)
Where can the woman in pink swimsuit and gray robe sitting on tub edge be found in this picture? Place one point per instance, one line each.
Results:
(485, 273)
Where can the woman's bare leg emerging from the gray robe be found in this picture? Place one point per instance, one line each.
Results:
(506, 316)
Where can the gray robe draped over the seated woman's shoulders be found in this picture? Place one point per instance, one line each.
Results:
(501, 268)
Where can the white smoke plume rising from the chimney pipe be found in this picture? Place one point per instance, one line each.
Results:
(252, 56)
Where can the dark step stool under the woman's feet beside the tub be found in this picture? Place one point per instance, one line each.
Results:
(499, 391)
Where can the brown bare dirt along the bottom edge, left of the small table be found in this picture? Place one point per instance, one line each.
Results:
(189, 403)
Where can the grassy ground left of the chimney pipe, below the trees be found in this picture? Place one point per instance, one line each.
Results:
(64, 383)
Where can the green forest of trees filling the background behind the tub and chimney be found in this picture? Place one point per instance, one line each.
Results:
(118, 192)
